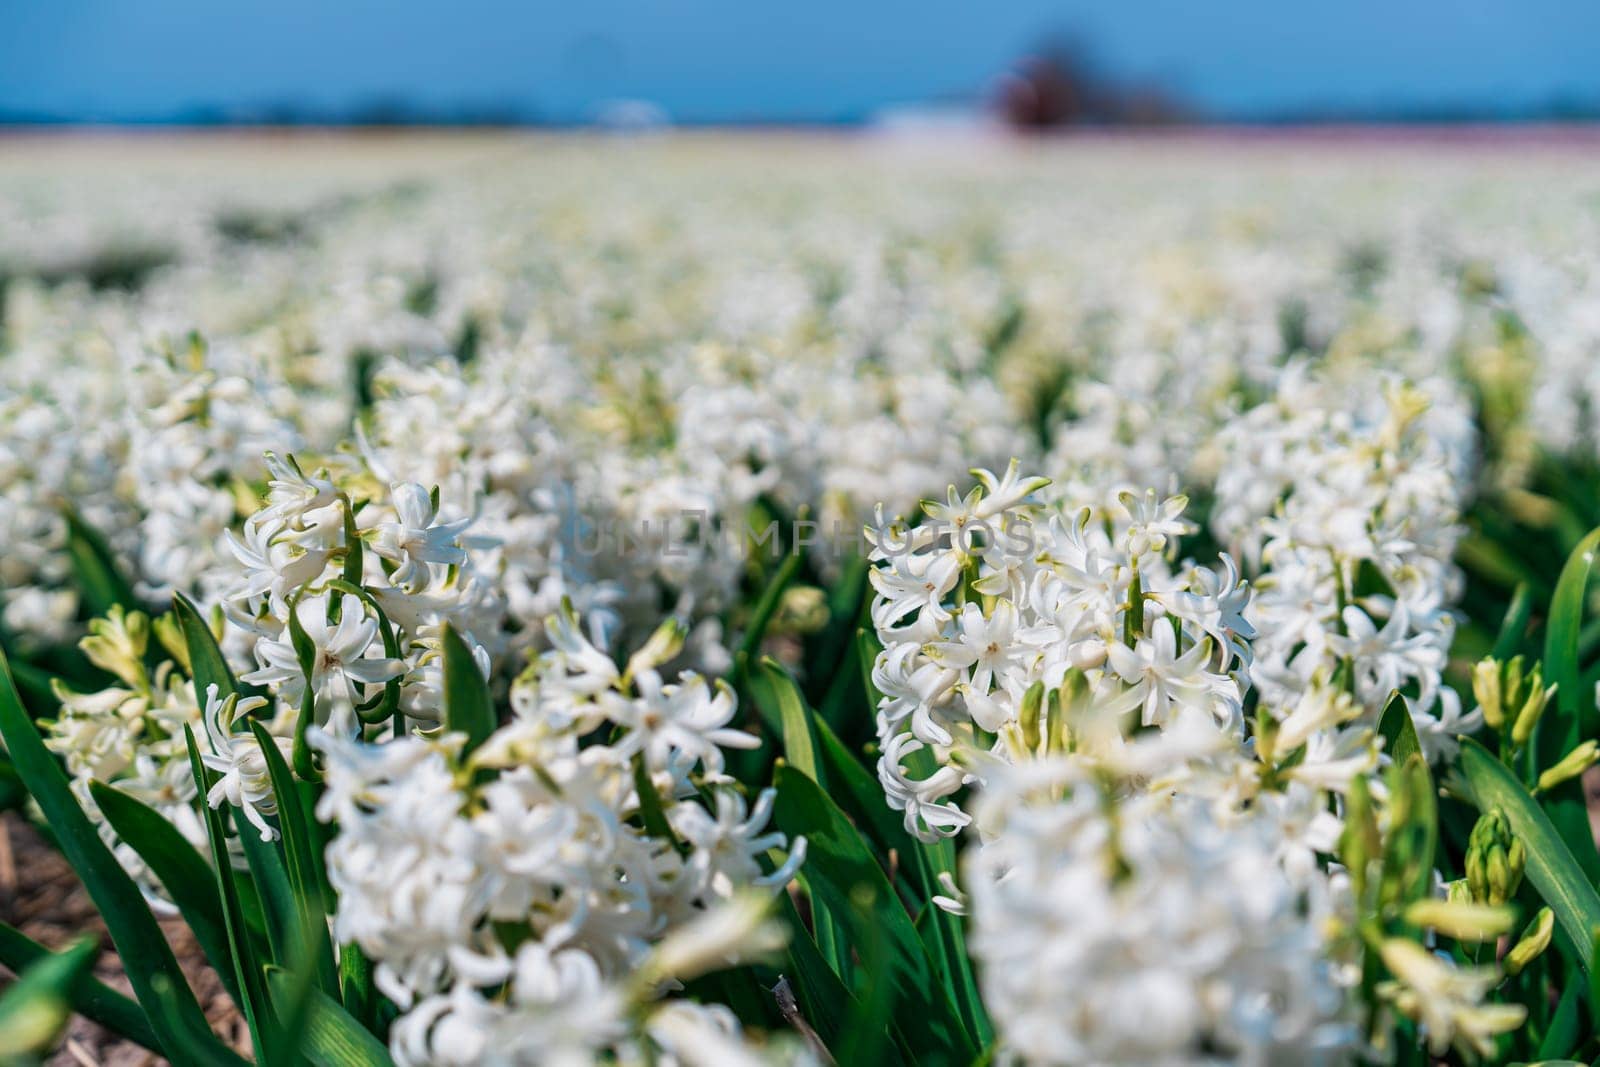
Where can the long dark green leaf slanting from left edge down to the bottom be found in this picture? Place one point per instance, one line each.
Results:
(183, 1029)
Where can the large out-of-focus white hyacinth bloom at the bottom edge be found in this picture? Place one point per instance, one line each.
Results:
(1180, 940)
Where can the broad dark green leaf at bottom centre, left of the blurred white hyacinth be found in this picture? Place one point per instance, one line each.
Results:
(842, 874)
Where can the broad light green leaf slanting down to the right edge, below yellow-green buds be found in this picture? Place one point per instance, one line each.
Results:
(1551, 866)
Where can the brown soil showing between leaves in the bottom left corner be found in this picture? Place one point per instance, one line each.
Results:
(41, 897)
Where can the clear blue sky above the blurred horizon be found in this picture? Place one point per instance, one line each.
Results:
(738, 60)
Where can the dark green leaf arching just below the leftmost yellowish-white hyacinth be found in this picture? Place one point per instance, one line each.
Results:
(182, 871)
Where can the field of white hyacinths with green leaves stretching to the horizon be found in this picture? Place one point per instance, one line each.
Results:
(786, 601)
